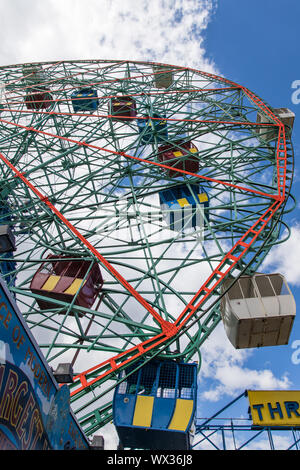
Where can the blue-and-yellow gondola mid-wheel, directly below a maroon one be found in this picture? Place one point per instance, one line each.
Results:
(182, 207)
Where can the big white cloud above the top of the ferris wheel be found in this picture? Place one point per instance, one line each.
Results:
(166, 31)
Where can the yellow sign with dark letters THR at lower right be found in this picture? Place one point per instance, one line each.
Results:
(275, 408)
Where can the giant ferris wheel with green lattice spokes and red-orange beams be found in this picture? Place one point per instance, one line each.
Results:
(134, 196)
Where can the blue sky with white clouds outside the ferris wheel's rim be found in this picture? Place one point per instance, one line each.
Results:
(252, 42)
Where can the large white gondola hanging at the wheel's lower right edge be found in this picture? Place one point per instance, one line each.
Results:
(258, 311)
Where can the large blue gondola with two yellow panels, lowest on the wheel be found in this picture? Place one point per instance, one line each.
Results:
(154, 408)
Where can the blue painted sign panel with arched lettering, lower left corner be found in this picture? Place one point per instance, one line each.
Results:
(43, 418)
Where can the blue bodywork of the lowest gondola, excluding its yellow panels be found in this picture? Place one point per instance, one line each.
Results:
(167, 379)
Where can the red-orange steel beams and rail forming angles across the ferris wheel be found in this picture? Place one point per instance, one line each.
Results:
(227, 264)
